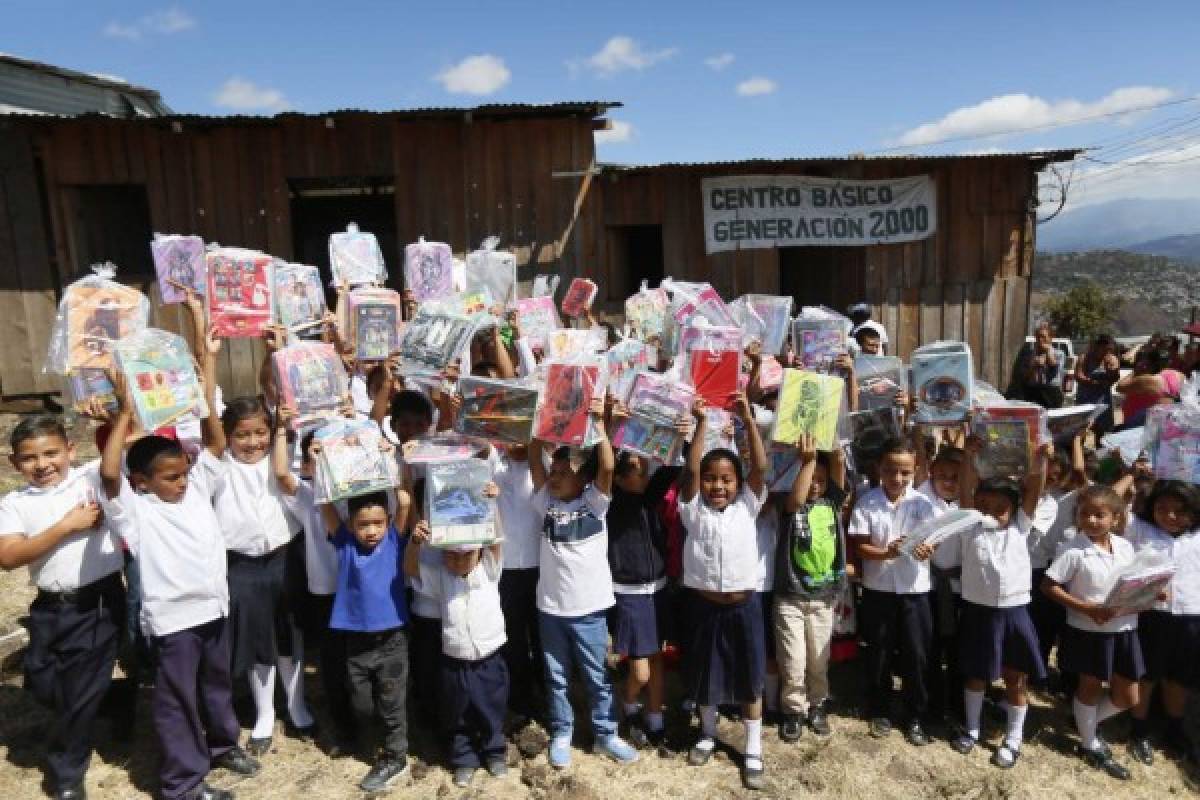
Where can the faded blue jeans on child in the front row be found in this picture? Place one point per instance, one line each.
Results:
(585, 642)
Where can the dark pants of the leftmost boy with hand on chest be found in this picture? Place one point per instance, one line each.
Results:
(69, 667)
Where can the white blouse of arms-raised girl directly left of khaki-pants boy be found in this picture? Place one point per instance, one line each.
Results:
(721, 552)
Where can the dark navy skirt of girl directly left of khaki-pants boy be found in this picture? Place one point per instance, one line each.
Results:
(727, 657)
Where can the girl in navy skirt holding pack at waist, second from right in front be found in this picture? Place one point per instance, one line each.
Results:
(1100, 645)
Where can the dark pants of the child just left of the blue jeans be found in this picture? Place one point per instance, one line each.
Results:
(523, 652)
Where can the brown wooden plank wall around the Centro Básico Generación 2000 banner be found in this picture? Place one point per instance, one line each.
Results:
(970, 281)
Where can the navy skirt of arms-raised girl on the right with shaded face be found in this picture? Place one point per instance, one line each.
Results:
(992, 640)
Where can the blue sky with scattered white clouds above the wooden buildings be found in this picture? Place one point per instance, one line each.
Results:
(700, 81)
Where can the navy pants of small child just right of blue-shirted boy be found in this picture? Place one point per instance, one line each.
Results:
(476, 696)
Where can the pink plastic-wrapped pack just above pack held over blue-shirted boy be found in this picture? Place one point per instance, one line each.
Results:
(311, 381)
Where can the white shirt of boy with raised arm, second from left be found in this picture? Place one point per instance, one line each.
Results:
(179, 550)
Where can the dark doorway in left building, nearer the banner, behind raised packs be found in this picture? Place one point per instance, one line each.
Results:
(321, 207)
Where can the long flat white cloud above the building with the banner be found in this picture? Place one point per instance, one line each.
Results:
(1011, 113)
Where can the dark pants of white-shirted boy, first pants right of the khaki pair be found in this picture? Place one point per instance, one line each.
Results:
(903, 623)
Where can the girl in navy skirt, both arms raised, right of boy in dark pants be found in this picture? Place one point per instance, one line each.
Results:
(997, 635)
